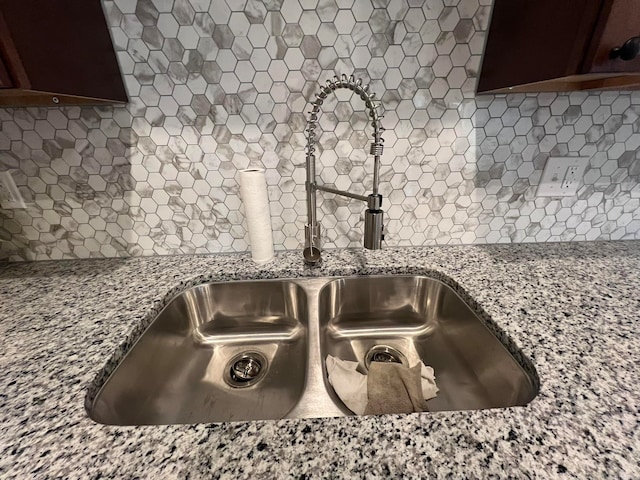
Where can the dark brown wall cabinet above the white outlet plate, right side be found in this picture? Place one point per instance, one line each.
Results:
(547, 45)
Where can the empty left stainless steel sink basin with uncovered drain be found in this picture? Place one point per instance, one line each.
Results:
(217, 352)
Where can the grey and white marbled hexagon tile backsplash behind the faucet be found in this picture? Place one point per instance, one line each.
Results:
(219, 86)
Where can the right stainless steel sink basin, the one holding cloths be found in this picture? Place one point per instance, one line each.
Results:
(420, 319)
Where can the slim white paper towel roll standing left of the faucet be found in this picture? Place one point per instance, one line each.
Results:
(253, 192)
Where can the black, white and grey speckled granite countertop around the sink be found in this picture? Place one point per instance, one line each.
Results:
(574, 310)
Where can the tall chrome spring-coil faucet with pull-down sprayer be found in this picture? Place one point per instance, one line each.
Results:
(373, 228)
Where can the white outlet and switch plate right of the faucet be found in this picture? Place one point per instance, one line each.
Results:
(562, 176)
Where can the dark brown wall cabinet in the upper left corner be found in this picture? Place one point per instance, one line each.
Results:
(57, 52)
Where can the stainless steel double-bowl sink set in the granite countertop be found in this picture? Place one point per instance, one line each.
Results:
(250, 350)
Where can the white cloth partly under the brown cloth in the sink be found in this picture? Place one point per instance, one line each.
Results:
(351, 385)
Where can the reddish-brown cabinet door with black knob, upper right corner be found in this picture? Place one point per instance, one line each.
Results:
(619, 22)
